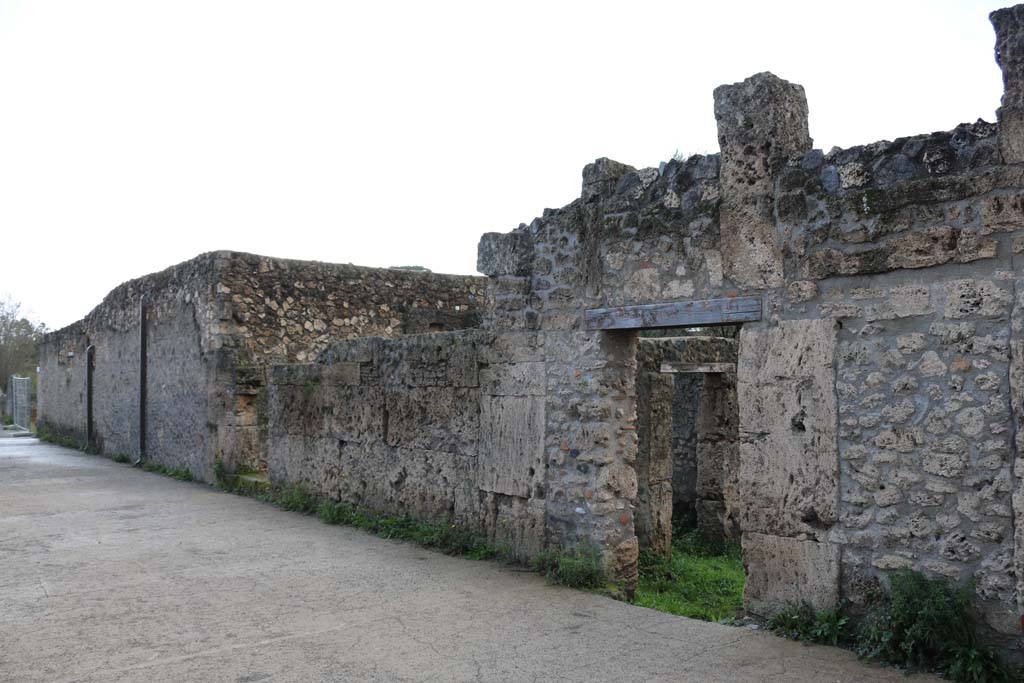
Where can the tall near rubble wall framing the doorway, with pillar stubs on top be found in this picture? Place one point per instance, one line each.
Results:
(877, 422)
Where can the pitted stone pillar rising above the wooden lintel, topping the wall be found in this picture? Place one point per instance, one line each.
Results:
(761, 122)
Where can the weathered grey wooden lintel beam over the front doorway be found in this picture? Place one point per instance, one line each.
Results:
(675, 315)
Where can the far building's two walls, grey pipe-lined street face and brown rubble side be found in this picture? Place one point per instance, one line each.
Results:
(214, 326)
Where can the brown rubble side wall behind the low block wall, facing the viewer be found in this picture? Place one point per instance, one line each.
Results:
(280, 311)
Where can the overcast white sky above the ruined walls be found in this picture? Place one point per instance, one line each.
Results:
(136, 135)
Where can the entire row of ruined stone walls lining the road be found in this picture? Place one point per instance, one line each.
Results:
(879, 390)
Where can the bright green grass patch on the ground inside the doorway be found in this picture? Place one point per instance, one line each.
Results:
(702, 579)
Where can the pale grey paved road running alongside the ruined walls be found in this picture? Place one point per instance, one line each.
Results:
(109, 574)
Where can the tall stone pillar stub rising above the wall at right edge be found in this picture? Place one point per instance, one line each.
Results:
(1009, 25)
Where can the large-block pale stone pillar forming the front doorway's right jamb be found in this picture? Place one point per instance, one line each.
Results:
(789, 464)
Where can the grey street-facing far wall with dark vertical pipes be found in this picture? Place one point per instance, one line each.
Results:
(180, 308)
